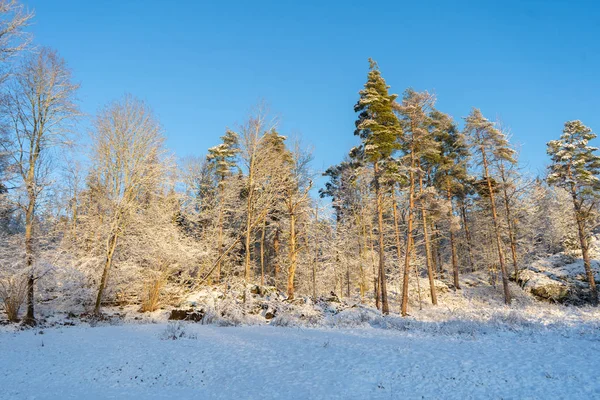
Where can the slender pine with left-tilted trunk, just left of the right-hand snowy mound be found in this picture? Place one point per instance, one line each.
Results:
(488, 144)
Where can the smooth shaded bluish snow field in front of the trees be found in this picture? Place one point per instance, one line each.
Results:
(138, 361)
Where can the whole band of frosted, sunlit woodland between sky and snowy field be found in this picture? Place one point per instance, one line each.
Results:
(421, 200)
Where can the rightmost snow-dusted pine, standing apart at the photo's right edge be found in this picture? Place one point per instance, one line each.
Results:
(575, 167)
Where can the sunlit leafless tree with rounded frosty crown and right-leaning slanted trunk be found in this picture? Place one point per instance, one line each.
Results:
(128, 164)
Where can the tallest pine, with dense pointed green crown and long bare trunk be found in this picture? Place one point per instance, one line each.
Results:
(378, 127)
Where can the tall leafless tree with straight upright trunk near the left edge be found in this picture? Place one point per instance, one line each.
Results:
(40, 108)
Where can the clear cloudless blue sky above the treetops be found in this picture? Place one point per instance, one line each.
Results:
(202, 64)
